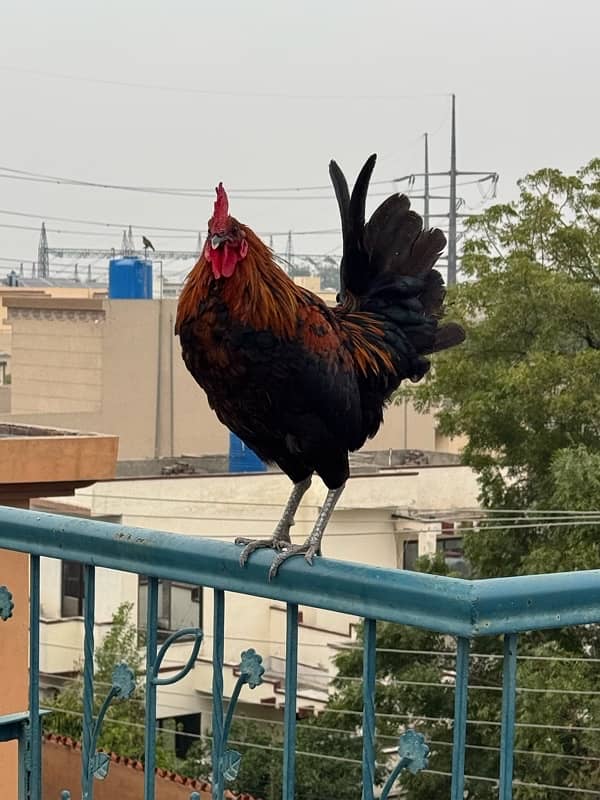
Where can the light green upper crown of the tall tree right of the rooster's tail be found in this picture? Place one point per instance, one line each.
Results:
(524, 384)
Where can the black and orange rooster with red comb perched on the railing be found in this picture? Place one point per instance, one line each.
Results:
(303, 384)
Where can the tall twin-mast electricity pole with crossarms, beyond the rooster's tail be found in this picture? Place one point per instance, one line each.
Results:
(452, 174)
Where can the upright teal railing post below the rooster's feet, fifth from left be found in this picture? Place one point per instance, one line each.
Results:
(291, 686)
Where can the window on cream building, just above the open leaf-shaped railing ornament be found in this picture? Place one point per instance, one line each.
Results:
(179, 606)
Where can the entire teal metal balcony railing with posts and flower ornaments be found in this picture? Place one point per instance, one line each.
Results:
(463, 609)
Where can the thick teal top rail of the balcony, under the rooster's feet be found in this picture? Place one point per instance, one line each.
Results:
(448, 605)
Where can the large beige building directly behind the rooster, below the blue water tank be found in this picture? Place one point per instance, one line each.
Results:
(115, 366)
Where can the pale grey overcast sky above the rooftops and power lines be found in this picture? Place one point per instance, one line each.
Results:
(262, 93)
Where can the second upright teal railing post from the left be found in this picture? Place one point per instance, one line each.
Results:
(89, 602)
